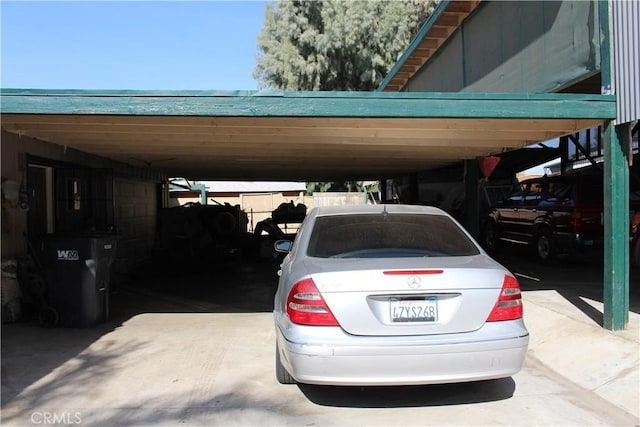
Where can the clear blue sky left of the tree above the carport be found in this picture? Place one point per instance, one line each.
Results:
(146, 45)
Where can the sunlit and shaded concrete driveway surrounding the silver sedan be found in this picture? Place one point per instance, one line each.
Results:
(178, 359)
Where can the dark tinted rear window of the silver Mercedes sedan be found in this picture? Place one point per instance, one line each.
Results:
(388, 235)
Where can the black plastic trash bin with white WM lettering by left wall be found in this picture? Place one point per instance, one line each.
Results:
(78, 272)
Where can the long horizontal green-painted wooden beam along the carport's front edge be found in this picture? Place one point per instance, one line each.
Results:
(309, 104)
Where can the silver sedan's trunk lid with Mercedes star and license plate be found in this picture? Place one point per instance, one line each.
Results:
(418, 296)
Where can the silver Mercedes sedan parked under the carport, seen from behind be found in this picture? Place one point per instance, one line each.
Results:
(393, 295)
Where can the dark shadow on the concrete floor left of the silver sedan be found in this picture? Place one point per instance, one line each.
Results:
(30, 352)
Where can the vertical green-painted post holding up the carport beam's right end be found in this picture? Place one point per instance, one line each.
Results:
(616, 227)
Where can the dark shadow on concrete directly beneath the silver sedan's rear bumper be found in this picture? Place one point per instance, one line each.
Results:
(410, 396)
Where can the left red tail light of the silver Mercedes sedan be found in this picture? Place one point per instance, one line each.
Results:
(306, 306)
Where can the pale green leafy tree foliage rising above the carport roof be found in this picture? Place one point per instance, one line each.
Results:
(335, 44)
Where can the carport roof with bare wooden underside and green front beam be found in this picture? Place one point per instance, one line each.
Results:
(304, 136)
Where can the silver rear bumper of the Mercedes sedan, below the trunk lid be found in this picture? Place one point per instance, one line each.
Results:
(402, 364)
